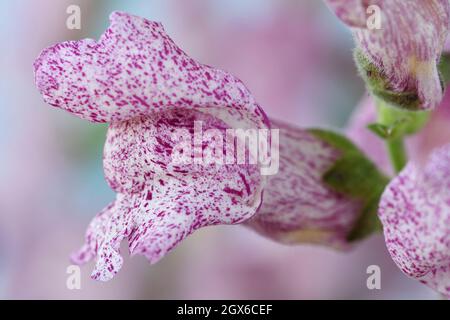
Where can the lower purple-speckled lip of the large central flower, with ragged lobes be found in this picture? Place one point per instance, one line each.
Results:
(161, 203)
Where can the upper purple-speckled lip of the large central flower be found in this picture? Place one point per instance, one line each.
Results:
(134, 69)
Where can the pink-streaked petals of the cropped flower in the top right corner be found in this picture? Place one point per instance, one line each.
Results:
(407, 47)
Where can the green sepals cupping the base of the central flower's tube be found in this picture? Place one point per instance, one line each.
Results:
(355, 176)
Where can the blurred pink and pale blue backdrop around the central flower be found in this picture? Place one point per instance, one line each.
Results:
(295, 57)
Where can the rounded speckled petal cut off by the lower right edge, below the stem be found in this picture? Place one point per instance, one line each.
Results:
(415, 212)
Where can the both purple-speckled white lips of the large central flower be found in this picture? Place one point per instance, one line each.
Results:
(137, 79)
